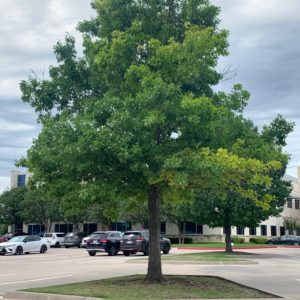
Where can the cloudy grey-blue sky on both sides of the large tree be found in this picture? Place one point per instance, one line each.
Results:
(264, 52)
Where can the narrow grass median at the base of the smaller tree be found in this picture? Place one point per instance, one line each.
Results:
(208, 256)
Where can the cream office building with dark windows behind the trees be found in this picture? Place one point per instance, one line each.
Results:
(274, 226)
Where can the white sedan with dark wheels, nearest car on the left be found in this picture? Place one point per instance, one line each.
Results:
(24, 244)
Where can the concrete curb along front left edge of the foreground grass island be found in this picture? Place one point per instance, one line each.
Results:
(42, 296)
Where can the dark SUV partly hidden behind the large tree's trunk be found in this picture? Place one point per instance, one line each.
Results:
(138, 241)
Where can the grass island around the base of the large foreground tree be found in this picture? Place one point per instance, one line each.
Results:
(175, 287)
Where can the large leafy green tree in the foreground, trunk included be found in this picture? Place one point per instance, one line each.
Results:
(118, 121)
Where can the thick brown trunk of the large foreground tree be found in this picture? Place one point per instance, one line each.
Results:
(154, 274)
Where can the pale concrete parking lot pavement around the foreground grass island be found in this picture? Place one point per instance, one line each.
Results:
(277, 270)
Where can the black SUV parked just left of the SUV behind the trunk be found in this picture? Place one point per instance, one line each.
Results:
(106, 241)
